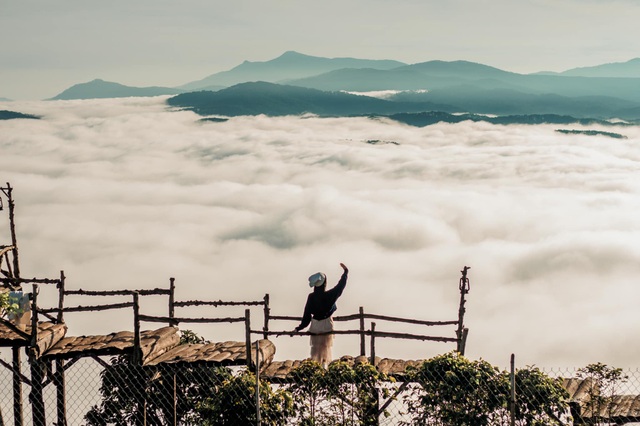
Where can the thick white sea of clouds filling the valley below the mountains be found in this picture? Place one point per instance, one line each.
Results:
(127, 193)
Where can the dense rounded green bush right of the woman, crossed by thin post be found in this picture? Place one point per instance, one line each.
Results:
(451, 389)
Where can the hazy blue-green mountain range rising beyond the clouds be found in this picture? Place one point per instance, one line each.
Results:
(603, 92)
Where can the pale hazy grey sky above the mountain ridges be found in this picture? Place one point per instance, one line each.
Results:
(49, 46)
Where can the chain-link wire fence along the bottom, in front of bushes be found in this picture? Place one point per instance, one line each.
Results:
(445, 390)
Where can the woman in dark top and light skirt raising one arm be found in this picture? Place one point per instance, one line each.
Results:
(321, 304)
